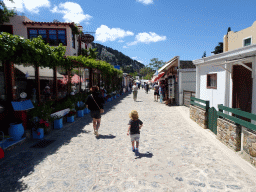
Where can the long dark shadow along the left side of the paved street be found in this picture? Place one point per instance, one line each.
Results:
(21, 161)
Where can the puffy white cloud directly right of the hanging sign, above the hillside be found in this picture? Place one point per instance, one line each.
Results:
(104, 33)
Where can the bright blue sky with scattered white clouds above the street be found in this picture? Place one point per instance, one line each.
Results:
(146, 29)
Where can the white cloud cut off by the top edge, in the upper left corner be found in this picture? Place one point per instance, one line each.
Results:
(30, 5)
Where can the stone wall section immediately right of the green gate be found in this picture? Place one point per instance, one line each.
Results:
(229, 133)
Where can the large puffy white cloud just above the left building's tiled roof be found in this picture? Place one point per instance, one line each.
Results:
(72, 12)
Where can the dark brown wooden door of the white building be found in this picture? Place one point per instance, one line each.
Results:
(242, 88)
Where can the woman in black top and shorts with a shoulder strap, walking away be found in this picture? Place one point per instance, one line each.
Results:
(95, 103)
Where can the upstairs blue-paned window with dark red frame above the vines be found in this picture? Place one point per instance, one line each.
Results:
(52, 36)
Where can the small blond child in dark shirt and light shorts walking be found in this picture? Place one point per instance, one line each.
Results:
(135, 125)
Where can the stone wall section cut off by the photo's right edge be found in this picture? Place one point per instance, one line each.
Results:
(249, 144)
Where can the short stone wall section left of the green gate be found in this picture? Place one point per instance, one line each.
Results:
(198, 115)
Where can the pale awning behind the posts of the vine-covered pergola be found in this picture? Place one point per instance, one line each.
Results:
(44, 73)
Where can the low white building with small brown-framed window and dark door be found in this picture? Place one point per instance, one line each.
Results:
(228, 78)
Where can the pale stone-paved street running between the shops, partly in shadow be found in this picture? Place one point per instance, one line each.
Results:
(175, 155)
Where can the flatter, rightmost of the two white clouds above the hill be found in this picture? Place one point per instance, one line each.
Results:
(147, 38)
